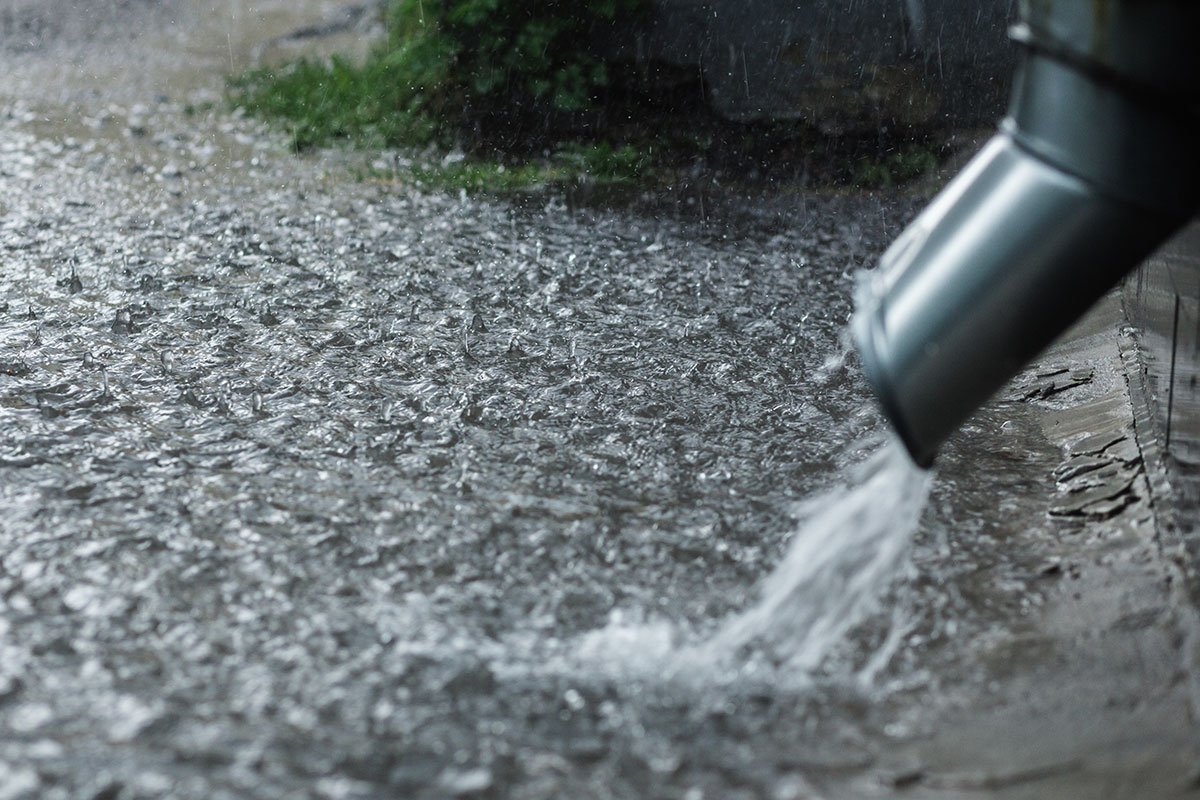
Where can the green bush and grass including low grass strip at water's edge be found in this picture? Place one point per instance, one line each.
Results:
(514, 68)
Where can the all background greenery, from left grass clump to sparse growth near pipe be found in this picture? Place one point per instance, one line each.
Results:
(513, 87)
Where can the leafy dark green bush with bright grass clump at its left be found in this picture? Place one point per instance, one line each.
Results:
(448, 67)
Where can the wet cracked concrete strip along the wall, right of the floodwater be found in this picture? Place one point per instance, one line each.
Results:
(1095, 693)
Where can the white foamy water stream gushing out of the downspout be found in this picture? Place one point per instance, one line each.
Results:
(850, 546)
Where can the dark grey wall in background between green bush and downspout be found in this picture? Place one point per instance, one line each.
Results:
(843, 64)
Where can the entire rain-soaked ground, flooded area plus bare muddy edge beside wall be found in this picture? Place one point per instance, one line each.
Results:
(320, 488)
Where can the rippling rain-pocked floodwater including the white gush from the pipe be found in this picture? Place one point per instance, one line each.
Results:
(315, 486)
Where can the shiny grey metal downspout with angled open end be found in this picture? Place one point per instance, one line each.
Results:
(1096, 165)
